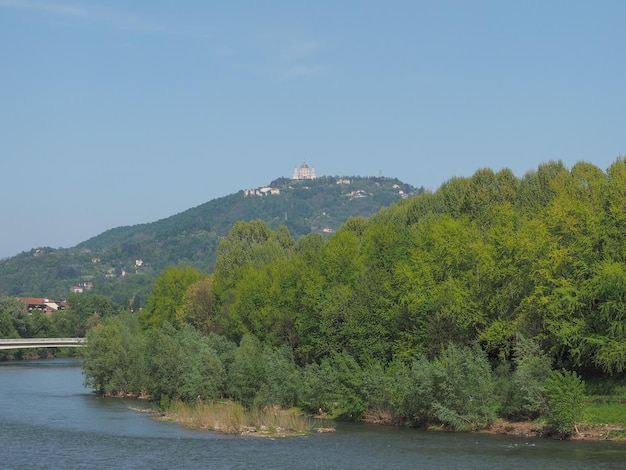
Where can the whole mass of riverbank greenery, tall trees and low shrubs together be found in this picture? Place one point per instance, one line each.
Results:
(489, 298)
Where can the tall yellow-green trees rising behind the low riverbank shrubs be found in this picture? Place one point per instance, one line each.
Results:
(482, 259)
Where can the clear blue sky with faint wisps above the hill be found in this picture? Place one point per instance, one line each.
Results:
(116, 112)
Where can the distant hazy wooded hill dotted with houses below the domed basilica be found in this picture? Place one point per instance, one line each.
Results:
(123, 262)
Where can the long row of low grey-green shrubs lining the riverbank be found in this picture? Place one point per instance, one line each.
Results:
(458, 389)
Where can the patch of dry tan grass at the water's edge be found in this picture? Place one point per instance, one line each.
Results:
(232, 418)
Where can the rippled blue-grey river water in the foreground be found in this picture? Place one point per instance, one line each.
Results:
(49, 420)
